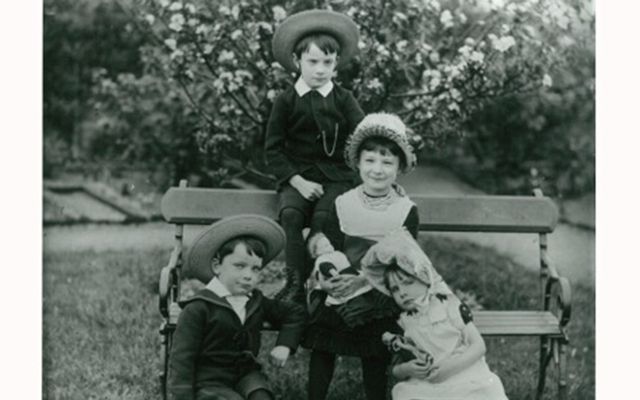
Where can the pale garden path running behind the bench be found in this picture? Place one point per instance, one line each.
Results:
(571, 247)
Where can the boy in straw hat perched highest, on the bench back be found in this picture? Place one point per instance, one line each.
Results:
(308, 128)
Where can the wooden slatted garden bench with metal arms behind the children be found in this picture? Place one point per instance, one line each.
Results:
(509, 214)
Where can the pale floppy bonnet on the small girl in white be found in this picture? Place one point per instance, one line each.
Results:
(401, 249)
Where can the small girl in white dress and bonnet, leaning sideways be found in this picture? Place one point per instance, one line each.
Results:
(436, 321)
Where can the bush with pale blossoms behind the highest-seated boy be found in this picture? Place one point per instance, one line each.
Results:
(436, 63)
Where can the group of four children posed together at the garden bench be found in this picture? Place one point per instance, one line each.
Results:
(311, 148)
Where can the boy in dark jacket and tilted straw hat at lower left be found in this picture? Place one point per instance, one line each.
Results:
(217, 338)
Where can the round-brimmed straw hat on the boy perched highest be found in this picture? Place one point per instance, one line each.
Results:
(299, 25)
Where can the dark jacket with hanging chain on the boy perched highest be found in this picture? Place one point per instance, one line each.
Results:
(294, 140)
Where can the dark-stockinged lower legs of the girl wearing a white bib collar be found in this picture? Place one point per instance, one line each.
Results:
(322, 365)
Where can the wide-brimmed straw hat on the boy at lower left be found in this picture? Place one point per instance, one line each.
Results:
(207, 244)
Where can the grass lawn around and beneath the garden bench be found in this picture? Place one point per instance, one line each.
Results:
(101, 326)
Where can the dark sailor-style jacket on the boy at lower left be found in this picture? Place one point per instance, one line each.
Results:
(211, 344)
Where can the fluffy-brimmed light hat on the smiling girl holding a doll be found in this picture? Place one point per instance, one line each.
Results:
(385, 125)
